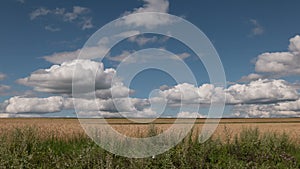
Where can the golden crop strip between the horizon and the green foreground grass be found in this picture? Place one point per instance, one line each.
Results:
(66, 127)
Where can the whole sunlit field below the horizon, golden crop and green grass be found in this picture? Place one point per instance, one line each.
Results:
(237, 143)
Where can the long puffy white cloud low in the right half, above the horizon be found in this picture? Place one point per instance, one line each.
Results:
(257, 92)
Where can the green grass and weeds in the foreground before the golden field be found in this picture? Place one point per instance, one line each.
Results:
(23, 148)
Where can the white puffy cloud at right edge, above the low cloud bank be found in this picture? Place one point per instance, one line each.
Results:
(281, 64)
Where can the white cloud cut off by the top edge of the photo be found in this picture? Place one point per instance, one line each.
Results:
(149, 21)
